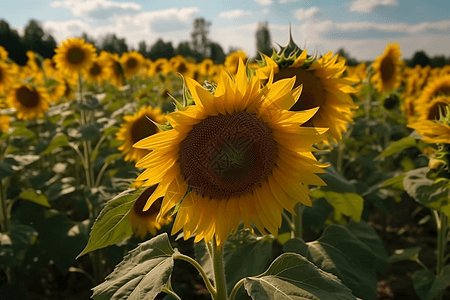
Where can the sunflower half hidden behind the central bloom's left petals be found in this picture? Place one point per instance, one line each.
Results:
(136, 128)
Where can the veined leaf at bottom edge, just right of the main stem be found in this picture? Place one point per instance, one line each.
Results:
(291, 276)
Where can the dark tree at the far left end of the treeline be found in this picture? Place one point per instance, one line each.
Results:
(11, 41)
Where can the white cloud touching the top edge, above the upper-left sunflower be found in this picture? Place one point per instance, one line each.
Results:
(98, 9)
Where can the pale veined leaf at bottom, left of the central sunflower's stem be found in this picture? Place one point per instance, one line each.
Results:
(142, 274)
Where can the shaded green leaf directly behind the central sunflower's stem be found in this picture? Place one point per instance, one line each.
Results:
(245, 254)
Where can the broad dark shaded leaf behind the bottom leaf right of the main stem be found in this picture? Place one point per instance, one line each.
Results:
(343, 254)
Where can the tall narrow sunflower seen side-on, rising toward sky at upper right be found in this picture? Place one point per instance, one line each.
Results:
(387, 68)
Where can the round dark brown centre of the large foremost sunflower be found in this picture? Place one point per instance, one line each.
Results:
(227, 155)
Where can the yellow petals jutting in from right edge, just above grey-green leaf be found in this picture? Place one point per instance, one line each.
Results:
(432, 131)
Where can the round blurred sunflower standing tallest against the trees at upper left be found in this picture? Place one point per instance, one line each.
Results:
(74, 56)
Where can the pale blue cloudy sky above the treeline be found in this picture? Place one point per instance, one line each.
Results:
(362, 27)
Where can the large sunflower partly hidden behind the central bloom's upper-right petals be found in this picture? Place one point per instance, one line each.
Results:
(322, 87)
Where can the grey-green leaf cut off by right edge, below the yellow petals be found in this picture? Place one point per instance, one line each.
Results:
(426, 191)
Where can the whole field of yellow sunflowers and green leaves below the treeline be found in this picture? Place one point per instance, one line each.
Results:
(292, 176)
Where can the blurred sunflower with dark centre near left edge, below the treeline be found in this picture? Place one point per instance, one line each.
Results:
(30, 102)
